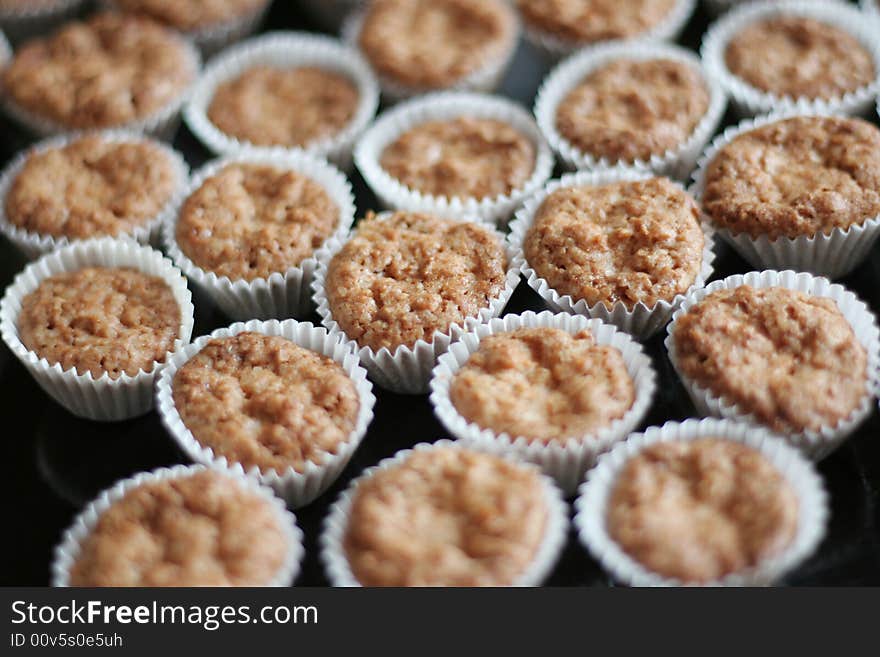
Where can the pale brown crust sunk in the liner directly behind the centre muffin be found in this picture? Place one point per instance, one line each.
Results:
(466, 157)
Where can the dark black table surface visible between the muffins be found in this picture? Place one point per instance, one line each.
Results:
(52, 463)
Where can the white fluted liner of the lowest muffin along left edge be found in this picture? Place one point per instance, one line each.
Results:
(102, 399)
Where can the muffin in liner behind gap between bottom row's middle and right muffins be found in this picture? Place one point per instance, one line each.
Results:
(556, 390)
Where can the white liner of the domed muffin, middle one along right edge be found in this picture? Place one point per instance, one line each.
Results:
(832, 254)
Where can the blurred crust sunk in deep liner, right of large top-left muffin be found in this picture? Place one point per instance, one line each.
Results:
(271, 106)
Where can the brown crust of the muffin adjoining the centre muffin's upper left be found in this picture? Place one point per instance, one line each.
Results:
(248, 221)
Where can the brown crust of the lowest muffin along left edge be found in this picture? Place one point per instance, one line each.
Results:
(101, 320)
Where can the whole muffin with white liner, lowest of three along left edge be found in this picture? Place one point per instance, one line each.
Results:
(91, 321)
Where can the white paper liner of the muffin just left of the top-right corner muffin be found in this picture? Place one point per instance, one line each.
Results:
(677, 162)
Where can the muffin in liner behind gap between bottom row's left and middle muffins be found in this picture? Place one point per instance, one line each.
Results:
(281, 401)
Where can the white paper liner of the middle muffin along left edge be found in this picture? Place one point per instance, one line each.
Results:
(33, 245)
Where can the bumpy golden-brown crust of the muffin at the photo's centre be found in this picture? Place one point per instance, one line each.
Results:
(403, 277)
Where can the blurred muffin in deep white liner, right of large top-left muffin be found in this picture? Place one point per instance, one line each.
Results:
(290, 90)
